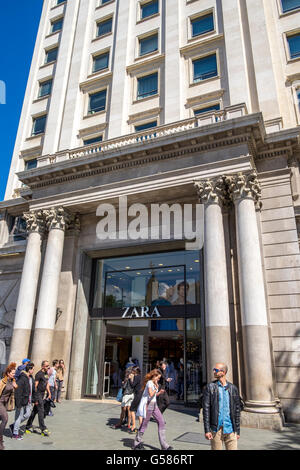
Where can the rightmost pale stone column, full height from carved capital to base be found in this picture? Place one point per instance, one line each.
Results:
(245, 192)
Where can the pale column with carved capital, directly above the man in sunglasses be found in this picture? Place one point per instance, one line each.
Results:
(212, 194)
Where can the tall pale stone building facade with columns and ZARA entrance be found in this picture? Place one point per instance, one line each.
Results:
(141, 104)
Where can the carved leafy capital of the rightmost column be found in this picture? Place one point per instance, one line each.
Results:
(244, 186)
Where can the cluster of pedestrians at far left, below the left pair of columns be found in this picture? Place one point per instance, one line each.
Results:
(29, 394)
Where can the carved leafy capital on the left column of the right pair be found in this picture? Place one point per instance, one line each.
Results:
(212, 191)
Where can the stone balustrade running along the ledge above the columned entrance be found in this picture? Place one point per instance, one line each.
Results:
(147, 136)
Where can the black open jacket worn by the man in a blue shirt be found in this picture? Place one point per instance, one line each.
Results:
(210, 404)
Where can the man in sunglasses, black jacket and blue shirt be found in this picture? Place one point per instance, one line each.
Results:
(221, 411)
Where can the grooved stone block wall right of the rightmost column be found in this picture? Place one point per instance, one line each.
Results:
(282, 268)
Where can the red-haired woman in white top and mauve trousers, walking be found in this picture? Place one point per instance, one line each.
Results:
(148, 408)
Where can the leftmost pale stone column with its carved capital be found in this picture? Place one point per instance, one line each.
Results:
(28, 287)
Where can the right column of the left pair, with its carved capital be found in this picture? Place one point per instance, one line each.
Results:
(56, 220)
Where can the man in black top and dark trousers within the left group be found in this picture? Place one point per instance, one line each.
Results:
(41, 387)
